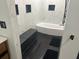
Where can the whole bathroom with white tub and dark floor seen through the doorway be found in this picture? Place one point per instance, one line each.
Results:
(41, 27)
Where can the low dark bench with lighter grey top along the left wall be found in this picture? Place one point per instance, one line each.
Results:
(28, 41)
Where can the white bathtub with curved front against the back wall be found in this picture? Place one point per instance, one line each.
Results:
(50, 29)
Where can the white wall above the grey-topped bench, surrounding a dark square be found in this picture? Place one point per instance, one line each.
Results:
(27, 20)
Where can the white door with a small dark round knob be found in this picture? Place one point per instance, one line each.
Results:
(70, 48)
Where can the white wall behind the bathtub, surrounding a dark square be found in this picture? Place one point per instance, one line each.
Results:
(53, 16)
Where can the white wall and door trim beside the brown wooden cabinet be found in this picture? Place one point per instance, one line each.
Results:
(7, 14)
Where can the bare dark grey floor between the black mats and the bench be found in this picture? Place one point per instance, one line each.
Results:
(42, 47)
